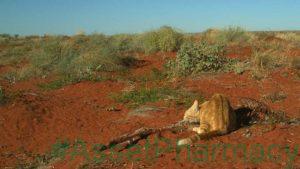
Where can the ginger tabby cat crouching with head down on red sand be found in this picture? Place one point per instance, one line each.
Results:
(216, 118)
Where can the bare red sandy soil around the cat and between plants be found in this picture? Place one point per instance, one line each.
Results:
(33, 122)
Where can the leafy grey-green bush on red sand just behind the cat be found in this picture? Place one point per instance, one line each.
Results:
(198, 57)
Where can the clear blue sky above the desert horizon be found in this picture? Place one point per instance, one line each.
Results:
(38, 17)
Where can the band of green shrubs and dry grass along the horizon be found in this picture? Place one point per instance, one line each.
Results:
(86, 57)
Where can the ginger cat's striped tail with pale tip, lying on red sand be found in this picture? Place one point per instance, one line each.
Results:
(194, 138)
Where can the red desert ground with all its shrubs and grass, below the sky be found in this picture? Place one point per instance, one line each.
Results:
(63, 96)
